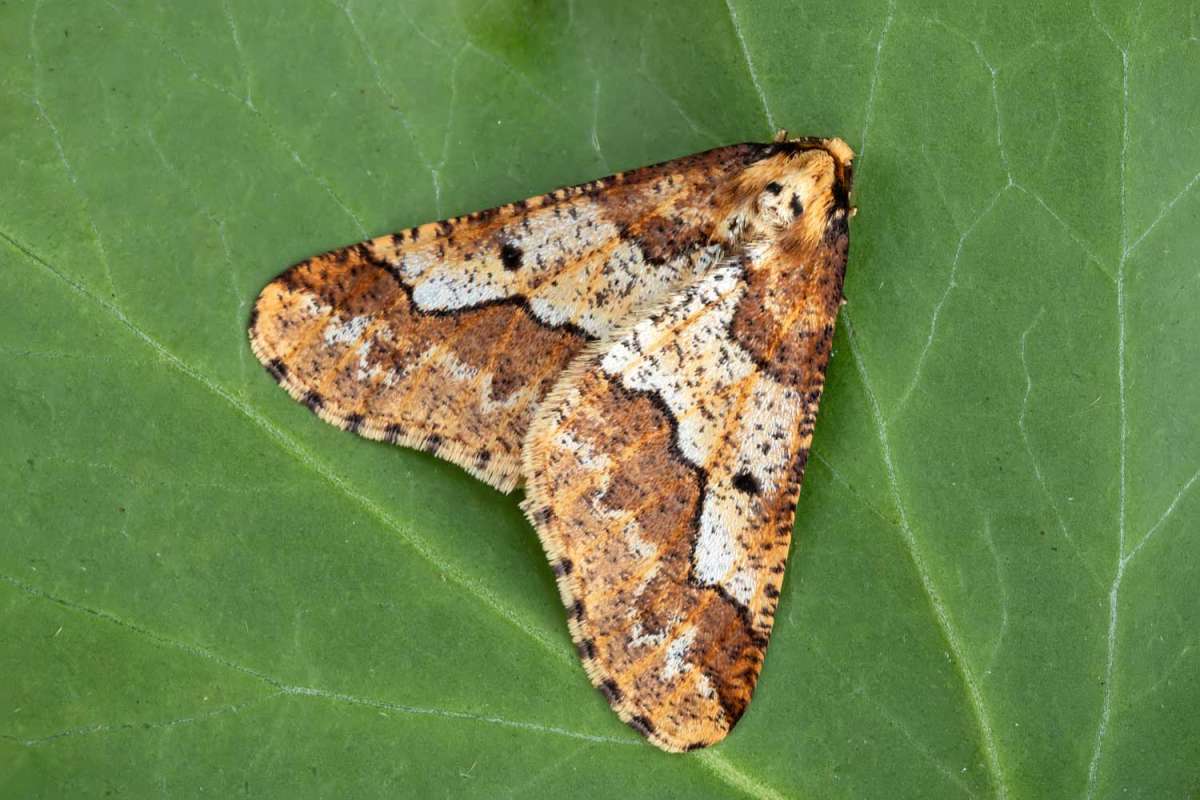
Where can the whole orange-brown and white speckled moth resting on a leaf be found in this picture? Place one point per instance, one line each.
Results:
(646, 354)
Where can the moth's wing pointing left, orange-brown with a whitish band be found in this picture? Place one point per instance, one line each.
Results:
(446, 336)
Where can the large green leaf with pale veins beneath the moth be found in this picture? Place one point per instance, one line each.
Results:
(206, 591)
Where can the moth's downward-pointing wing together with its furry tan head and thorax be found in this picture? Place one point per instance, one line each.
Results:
(665, 466)
